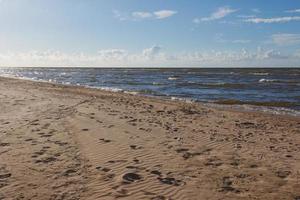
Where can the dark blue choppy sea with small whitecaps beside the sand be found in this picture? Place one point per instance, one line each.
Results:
(275, 90)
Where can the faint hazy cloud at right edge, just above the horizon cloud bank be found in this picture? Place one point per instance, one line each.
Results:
(285, 39)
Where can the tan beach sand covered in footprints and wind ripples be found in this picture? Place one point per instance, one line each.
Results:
(61, 142)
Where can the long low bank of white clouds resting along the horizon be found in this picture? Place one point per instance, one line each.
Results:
(151, 57)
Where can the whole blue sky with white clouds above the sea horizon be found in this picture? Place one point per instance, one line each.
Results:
(150, 33)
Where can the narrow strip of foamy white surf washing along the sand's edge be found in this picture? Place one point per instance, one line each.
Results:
(277, 110)
